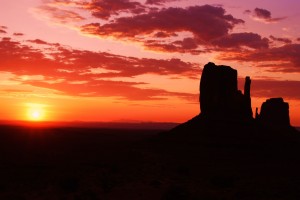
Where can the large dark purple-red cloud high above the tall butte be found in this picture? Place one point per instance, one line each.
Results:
(204, 23)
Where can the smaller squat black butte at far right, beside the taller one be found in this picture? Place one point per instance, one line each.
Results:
(274, 114)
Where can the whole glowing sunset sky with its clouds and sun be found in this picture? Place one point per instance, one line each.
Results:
(141, 60)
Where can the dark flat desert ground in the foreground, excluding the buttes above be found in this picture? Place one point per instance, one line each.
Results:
(82, 163)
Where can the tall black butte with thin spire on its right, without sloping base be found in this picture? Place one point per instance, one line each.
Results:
(220, 98)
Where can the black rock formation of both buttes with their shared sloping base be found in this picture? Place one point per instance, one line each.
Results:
(222, 105)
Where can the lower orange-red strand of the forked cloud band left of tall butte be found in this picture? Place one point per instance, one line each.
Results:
(123, 90)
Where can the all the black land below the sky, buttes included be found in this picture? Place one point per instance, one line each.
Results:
(222, 153)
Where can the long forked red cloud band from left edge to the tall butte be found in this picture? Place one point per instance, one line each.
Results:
(64, 68)
